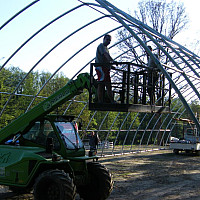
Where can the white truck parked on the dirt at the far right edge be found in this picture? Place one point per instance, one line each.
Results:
(190, 143)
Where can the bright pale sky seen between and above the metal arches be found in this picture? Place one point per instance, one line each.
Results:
(13, 35)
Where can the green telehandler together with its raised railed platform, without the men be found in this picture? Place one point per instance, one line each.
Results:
(44, 152)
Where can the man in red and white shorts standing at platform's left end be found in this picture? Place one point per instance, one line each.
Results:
(103, 71)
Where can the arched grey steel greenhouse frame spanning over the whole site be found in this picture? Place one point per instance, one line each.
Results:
(184, 65)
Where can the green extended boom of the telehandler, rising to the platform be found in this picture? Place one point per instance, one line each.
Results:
(71, 89)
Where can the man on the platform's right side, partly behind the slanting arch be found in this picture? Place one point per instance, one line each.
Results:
(152, 78)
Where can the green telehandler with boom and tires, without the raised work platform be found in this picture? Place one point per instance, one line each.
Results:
(44, 153)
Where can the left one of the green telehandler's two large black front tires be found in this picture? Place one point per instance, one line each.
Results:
(54, 185)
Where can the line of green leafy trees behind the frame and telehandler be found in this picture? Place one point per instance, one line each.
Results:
(15, 98)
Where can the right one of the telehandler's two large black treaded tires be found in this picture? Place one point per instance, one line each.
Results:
(100, 183)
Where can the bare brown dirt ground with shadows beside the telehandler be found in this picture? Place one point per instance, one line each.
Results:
(157, 175)
